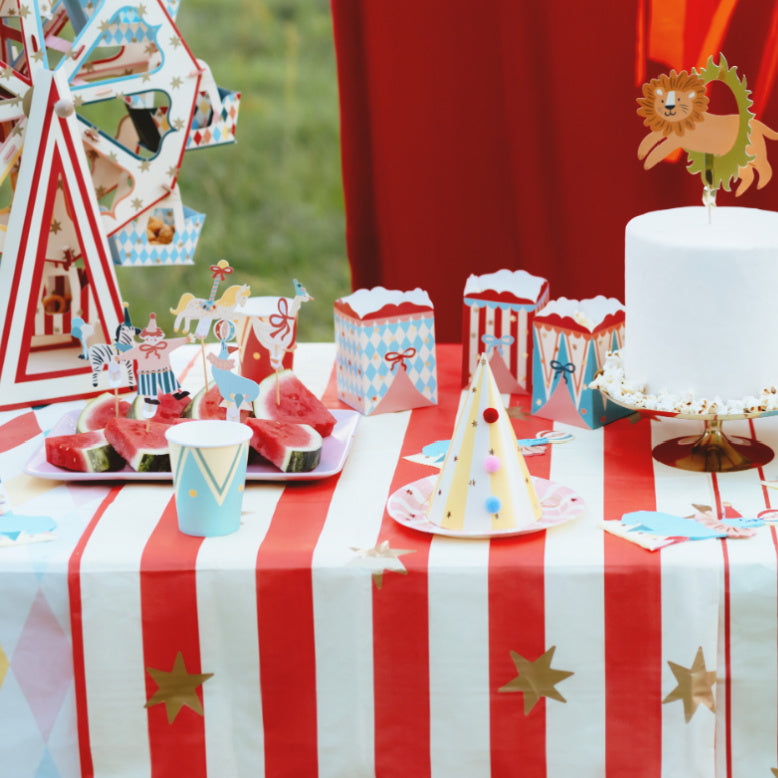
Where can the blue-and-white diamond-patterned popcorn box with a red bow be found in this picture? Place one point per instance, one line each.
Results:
(385, 350)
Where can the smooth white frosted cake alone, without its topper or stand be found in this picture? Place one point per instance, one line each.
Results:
(700, 310)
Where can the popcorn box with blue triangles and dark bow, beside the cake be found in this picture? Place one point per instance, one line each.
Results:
(571, 341)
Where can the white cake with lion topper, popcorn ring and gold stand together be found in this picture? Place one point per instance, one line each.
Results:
(683, 266)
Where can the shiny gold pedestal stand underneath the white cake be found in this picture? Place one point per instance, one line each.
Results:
(712, 451)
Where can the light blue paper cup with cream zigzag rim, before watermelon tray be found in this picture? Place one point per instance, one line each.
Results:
(208, 459)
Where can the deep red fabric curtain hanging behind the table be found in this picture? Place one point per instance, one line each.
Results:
(503, 133)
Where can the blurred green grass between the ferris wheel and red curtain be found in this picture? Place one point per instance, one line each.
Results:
(273, 201)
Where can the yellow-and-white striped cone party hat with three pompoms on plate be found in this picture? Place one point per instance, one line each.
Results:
(484, 484)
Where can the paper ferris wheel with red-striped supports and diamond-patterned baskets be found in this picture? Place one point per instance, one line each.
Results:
(84, 194)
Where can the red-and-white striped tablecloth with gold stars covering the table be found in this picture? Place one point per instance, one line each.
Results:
(289, 649)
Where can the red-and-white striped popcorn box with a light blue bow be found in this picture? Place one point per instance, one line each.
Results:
(497, 320)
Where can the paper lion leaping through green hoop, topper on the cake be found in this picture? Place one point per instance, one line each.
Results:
(722, 148)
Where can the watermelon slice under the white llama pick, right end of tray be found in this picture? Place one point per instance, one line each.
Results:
(283, 397)
